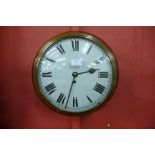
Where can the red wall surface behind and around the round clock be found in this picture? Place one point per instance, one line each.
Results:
(132, 105)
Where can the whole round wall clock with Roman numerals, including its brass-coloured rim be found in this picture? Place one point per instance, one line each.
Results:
(75, 73)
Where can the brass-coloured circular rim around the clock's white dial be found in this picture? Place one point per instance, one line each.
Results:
(92, 38)
